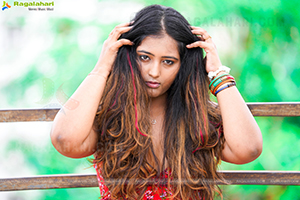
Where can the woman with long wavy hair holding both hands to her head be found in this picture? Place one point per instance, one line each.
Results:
(145, 112)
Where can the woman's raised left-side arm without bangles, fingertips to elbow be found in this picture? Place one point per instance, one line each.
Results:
(72, 131)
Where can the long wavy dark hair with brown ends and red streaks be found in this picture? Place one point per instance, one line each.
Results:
(192, 134)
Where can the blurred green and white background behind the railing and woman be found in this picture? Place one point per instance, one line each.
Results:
(46, 52)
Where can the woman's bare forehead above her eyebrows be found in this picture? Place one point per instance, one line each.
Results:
(162, 45)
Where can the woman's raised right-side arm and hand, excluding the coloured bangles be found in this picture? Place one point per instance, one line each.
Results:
(243, 139)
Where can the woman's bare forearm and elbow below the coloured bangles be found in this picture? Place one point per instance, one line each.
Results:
(243, 137)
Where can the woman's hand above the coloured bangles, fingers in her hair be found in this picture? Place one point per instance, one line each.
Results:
(212, 58)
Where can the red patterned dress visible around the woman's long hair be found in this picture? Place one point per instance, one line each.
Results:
(160, 193)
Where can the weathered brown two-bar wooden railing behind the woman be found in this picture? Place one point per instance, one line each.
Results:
(76, 181)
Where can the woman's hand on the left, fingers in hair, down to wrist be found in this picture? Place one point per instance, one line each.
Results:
(110, 48)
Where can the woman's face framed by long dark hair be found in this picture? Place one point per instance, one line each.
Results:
(159, 63)
